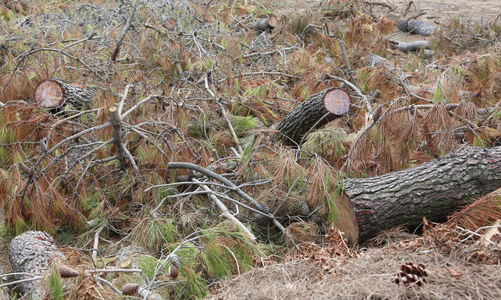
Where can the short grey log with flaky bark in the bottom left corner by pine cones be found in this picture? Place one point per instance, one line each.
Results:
(31, 252)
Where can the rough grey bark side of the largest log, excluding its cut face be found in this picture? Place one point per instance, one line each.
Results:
(433, 190)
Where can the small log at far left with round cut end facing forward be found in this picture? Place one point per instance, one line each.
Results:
(52, 93)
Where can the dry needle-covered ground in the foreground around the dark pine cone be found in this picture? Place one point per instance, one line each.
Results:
(371, 276)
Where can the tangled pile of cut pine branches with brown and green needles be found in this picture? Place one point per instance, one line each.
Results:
(191, 82)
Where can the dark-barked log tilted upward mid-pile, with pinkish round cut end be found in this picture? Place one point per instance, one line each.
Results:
(315, 111)
